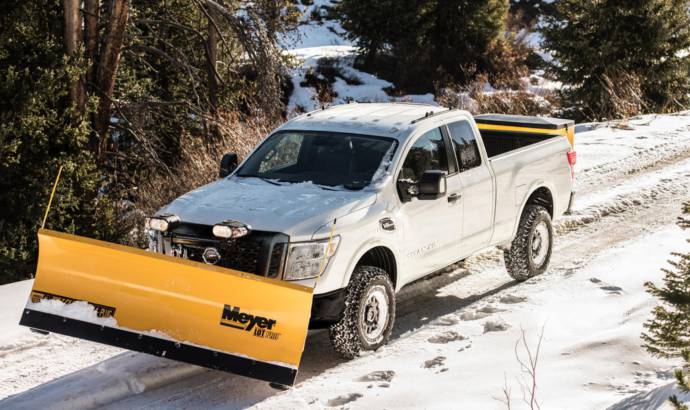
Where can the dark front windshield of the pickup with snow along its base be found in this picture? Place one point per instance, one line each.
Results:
(323, 158)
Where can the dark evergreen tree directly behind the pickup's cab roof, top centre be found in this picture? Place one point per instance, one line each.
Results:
(422, 43)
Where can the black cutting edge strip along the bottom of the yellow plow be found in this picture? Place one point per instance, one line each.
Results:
(178, 351)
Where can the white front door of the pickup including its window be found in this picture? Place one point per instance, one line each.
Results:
(432, 228)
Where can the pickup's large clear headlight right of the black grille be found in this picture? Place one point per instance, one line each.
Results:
(309, 259)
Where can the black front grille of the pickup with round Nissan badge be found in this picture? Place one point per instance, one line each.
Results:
(260, 252)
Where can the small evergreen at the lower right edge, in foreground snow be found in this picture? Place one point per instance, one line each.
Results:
(668, 332)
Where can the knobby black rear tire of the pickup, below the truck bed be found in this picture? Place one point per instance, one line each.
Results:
(518, 258)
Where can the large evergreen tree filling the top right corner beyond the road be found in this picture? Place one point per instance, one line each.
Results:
(602, 46)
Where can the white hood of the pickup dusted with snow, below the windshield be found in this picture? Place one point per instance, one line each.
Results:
(297, 210)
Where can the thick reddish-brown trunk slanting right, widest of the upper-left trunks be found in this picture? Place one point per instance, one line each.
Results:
(107, 70)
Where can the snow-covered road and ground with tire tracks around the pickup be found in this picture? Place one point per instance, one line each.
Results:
(455, 334)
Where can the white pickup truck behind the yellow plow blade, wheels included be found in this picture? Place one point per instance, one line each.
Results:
(359, 200)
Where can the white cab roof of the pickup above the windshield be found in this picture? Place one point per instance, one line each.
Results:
(386, 119)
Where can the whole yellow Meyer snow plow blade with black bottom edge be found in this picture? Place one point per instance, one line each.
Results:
(174, 308)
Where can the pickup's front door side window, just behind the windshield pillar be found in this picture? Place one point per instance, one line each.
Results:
(427, 153)
